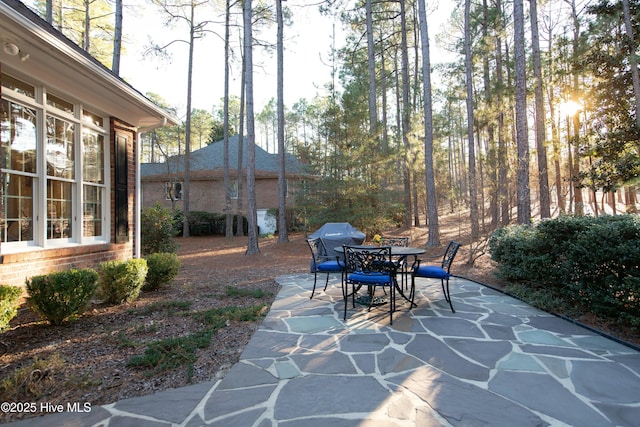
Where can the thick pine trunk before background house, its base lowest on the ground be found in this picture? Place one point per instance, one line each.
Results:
(252, 243)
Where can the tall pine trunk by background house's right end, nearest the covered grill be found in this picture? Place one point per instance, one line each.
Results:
(283, 235)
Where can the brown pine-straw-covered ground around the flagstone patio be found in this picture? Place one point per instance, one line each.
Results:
(87, 358)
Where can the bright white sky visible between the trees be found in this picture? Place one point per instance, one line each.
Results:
(307, 66)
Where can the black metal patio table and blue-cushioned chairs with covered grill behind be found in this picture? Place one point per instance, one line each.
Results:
(388, 262)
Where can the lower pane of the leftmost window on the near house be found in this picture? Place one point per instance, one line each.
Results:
(17, 225)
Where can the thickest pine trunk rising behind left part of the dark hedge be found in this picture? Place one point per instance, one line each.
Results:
(522, 142)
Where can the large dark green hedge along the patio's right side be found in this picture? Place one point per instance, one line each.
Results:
(593, 262)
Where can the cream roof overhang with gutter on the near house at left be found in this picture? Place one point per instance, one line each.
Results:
(48, 56)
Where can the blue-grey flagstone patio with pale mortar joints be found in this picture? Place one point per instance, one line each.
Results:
(495, 362)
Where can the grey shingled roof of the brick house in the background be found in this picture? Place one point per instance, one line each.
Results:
(209, 161)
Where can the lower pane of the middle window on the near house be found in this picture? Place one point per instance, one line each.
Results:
(59, 205)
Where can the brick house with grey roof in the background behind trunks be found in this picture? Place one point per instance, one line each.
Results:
(162, 182)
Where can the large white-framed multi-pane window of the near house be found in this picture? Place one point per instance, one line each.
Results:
(53, 170)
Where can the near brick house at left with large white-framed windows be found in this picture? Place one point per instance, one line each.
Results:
(69, 138)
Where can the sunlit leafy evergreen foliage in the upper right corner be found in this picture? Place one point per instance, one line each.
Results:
(612, 144)
